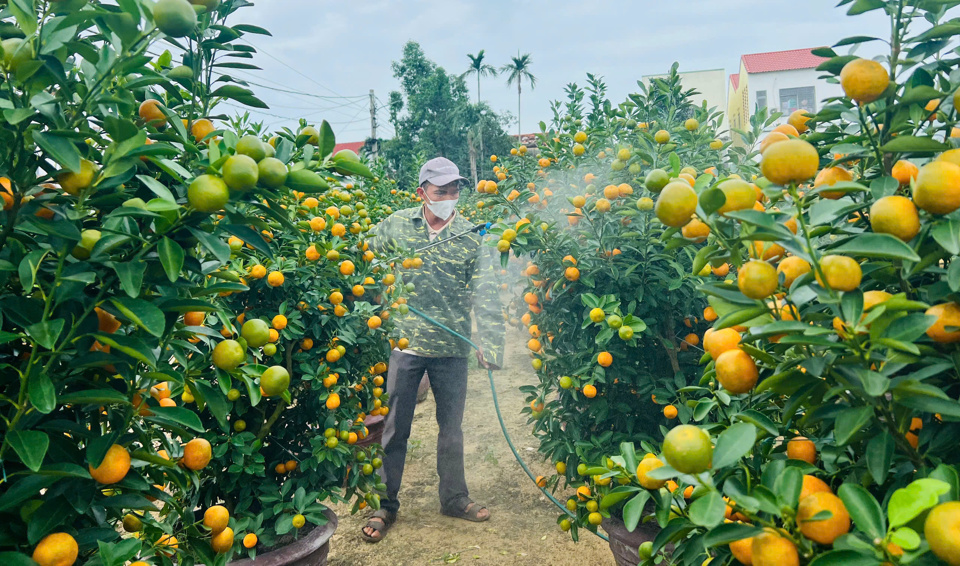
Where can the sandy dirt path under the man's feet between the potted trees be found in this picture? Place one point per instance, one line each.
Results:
(522, 529)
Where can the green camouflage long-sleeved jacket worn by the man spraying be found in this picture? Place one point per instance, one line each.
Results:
(456, 276)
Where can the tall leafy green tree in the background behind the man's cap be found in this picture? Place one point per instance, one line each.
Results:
(432, 115)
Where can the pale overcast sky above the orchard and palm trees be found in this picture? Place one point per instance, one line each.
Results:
(344, 48)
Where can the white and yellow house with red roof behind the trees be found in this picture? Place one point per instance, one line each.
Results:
(782, 81)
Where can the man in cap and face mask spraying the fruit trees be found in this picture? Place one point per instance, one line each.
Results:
(456, 276)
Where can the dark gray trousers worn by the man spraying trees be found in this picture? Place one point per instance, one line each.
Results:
(448, 379)
